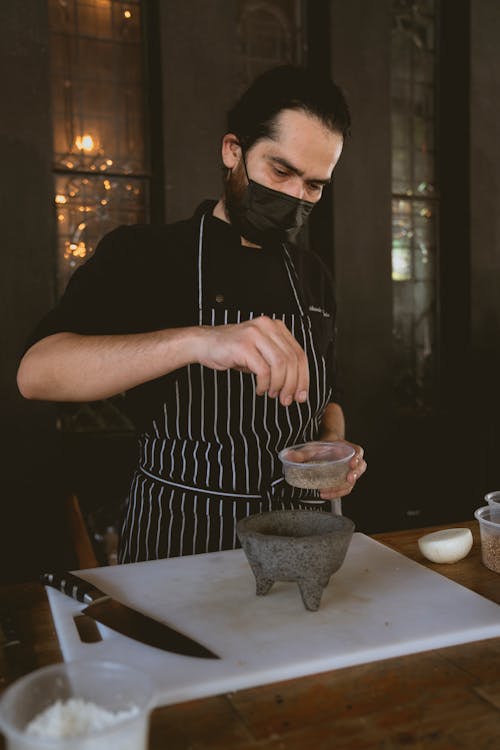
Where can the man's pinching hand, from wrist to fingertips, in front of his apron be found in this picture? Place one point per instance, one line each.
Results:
(262, 346)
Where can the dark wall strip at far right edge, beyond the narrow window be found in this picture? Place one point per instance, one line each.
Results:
(483, 399)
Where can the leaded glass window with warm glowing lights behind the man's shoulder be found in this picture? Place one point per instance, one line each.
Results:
(100, 150)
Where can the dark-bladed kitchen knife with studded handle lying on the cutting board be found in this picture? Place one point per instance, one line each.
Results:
(123, 619)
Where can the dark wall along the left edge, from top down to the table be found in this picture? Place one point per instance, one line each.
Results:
(30, 499)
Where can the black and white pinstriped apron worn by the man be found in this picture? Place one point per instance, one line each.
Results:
(211, 456)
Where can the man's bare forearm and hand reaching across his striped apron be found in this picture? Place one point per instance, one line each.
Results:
(72, 367)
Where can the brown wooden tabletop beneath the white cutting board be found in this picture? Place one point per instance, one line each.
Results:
(443, 699)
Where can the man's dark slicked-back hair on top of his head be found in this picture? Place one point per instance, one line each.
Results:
(287, 87)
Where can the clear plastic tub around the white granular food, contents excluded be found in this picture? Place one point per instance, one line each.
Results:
(118, 688)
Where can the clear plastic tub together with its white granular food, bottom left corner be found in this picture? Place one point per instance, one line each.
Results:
(78, 705)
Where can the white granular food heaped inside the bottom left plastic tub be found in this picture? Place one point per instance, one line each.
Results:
(75, 718)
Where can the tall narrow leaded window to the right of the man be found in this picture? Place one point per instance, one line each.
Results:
(415, 207)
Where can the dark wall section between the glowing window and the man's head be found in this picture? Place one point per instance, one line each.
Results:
(200, 80)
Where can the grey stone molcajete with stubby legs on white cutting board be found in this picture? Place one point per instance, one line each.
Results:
(304, 546)
